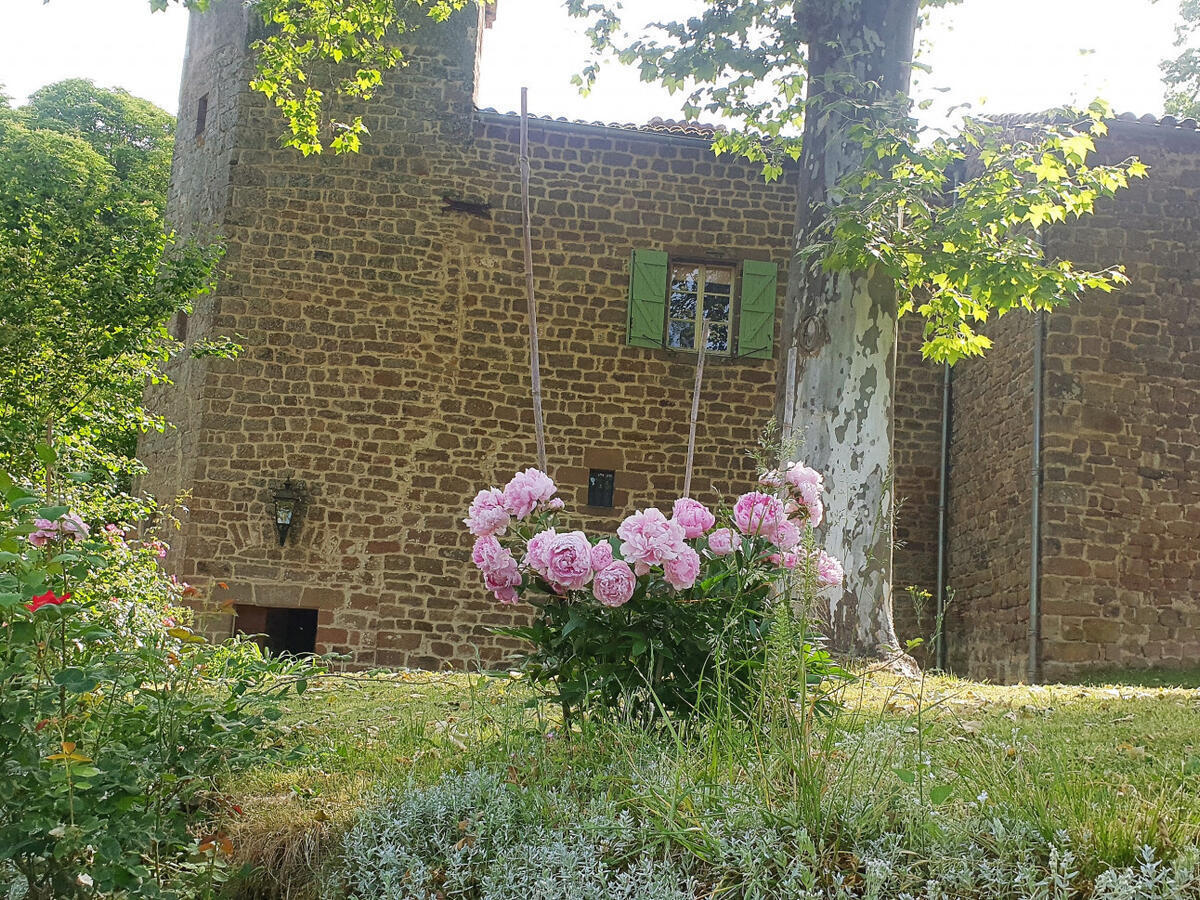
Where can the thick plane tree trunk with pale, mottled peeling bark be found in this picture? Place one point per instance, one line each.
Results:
(837, 376)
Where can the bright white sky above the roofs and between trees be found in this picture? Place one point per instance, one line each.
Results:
(998, 56)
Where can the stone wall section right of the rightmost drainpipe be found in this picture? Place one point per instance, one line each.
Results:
(1121, 571)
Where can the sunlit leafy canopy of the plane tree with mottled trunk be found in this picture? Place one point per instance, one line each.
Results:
(953, 219)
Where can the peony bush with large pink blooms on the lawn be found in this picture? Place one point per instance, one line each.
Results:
(667, 616)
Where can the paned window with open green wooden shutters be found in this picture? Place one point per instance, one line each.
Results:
(671, 302)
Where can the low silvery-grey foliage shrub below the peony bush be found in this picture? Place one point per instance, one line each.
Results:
(476, 836)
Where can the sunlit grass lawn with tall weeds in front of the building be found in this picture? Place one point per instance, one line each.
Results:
(1049, 791)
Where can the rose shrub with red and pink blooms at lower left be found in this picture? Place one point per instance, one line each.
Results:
(116, 718)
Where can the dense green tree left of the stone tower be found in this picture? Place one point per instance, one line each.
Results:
(88, 275)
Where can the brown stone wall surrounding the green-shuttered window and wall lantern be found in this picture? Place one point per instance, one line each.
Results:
(386, 361)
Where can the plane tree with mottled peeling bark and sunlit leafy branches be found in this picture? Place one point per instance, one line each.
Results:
(887, 223)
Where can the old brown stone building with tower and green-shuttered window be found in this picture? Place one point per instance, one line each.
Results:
(381, 301)
